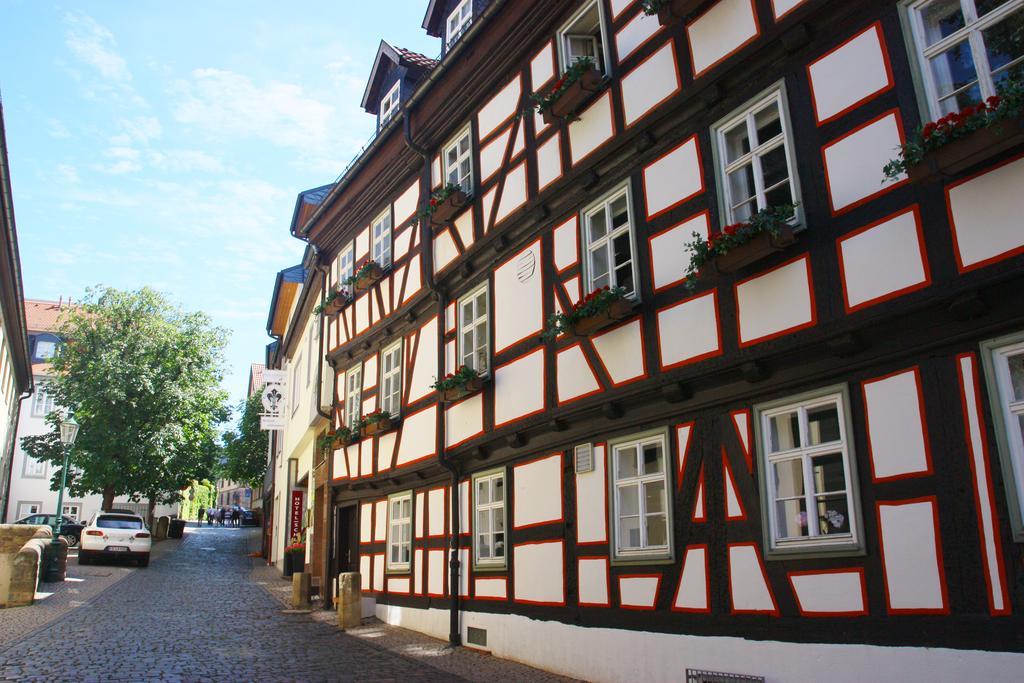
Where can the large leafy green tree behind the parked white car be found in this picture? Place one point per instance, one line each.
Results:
(144, 379)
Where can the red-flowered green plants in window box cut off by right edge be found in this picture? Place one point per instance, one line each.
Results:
(963, 139)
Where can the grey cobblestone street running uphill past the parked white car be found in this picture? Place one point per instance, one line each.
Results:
(200, 613)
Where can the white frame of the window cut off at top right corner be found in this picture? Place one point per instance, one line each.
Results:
(972, 33)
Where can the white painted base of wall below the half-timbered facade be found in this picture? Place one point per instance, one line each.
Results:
(616, 655)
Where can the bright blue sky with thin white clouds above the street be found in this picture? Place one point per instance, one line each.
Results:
(164, 144)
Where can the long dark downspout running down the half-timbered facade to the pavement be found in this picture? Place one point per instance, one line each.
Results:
(455, 632)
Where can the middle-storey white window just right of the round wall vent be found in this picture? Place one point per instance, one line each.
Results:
(608, 229)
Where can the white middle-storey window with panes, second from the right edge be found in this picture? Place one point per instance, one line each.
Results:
(755, 159)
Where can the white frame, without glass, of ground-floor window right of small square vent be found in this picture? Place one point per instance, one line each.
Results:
(646, 552)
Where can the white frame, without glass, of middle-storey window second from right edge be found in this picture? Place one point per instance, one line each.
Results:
(777, 95)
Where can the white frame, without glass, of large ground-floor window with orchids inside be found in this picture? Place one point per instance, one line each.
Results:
(818, 545)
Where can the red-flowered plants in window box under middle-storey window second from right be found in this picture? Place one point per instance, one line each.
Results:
(739, 245)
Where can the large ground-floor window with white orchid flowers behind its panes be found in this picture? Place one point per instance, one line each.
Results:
(807, 475)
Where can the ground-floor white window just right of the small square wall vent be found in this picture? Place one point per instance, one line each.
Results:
(642, 511)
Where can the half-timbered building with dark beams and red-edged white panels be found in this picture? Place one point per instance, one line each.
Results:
(809, 466)
